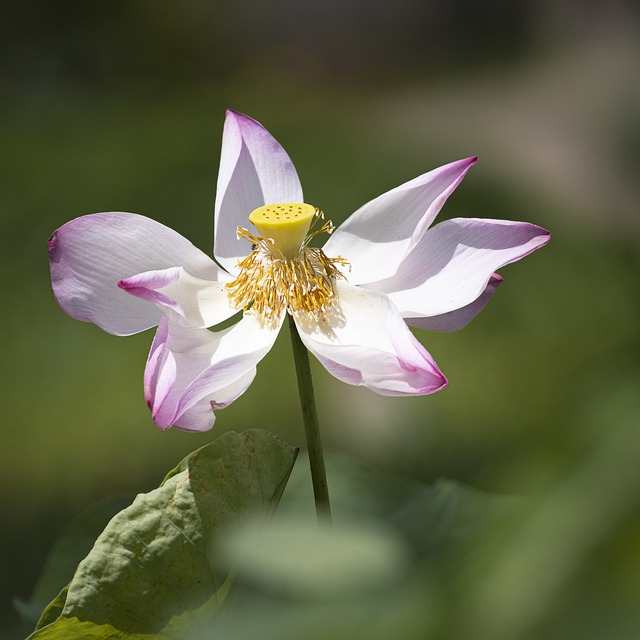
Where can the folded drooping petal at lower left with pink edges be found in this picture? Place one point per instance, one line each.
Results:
(191, 372)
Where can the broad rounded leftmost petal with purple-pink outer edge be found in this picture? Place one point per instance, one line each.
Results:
(90, 255)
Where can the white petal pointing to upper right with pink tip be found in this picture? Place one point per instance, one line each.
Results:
(378, 236)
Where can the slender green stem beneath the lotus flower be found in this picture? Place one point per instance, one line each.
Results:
(311, 426)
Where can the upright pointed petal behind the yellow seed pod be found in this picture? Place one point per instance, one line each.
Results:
(254, 170)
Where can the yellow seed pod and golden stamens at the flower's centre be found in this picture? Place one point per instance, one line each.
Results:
(282, 271)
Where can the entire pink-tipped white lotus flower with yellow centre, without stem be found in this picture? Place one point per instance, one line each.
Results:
(352, 300)
